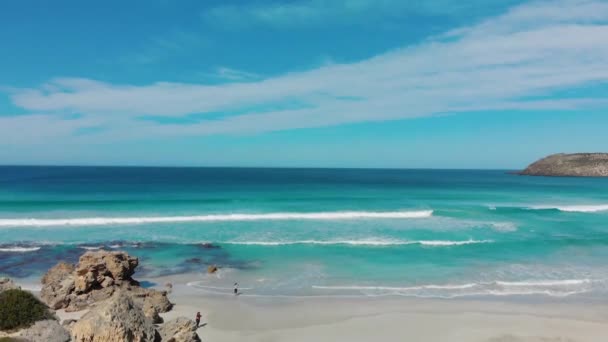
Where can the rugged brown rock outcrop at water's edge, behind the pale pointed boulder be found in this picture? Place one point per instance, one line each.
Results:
(96, 277)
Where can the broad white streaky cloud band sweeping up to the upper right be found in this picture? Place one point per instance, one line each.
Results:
(498, 64)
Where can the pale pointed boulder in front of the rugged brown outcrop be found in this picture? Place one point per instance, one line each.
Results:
(117, 319)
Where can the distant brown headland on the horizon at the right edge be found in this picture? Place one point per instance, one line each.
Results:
(570, 165)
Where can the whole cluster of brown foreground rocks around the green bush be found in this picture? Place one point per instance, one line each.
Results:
(118, 308)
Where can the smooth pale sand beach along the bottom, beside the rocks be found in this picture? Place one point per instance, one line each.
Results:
(249, 318)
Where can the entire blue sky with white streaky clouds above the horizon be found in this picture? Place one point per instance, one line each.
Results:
(317, 83)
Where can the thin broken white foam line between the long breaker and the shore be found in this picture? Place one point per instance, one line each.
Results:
(371, 242)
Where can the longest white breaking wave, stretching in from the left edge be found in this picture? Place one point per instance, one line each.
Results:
(321, 216)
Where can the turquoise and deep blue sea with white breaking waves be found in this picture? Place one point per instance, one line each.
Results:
(425, 233)
